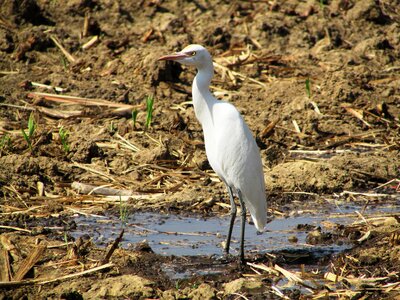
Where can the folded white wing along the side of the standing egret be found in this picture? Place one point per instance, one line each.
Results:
(239, 159)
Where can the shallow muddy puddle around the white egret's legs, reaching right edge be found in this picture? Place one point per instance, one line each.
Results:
(193, 236)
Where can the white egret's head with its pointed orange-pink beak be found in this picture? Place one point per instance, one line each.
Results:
(192, 55)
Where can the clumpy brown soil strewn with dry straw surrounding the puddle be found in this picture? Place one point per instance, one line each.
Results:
(348, 50)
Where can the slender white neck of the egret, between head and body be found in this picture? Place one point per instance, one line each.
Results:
(202, 97)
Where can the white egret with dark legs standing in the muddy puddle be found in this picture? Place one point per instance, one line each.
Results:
(230, 146)
